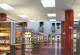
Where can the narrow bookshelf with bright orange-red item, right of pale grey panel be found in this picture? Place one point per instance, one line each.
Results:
(18, 36)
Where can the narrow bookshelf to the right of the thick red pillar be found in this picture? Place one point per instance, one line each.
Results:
(74, 41)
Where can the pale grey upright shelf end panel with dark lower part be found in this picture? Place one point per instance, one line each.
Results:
(12, 38)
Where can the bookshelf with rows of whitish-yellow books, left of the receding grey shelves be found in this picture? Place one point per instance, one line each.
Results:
(29, 41)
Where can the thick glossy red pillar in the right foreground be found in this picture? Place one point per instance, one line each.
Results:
(69, 22)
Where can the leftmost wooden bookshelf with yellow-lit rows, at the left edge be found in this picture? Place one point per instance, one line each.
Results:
(4, 38)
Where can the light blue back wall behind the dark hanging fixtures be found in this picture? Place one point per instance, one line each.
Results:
(47, 27)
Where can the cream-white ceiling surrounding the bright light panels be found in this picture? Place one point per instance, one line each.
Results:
(35, 11)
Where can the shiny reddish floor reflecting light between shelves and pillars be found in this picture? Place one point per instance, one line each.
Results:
(54, 49)
